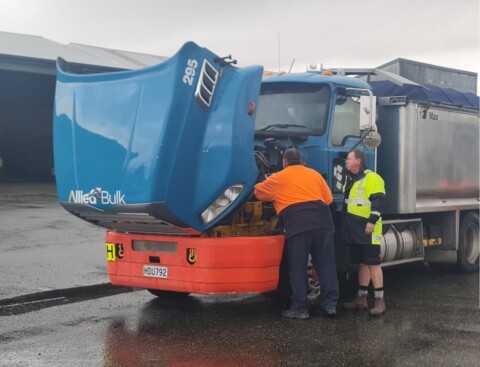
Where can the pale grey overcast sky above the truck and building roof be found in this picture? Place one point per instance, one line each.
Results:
(336, 33)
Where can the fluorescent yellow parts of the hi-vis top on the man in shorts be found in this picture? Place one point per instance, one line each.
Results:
(358, 203)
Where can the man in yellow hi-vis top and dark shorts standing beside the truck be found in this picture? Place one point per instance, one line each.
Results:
(365, 202)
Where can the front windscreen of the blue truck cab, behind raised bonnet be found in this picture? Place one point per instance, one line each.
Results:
(287, 107)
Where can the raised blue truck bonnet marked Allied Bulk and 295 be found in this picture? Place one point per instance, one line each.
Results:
(150, 150)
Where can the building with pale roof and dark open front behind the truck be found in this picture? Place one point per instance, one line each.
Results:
(27, 89)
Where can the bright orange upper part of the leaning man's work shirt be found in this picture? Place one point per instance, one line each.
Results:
(294, 184)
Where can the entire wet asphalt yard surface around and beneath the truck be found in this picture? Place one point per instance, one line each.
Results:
(57, 309)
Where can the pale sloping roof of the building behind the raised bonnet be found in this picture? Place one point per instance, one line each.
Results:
(16, 49)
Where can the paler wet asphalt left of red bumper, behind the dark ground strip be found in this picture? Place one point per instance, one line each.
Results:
(42, 246)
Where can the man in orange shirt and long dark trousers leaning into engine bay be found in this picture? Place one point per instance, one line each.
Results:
(301, 197)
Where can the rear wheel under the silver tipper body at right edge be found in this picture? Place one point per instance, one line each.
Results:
(468, 244)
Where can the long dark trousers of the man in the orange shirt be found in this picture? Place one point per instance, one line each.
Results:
(319, 243)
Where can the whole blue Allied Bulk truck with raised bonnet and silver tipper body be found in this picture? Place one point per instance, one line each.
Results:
(166, 158)
